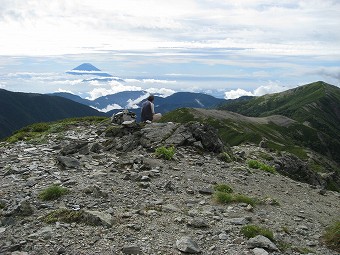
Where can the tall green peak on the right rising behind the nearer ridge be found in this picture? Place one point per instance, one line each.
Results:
(315, 105)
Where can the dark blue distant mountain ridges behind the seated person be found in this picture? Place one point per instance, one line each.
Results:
(21, 109)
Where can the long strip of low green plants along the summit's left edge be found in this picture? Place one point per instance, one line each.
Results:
(37, 132)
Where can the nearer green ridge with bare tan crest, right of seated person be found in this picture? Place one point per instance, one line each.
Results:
(280, 134)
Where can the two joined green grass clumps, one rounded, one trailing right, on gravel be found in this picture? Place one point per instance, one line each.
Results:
(224, 195)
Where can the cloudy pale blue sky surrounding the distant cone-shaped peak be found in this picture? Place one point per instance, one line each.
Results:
(219, 47)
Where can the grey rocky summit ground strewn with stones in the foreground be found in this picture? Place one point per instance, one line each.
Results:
(118, 194)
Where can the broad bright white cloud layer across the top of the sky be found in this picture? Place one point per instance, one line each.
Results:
(262, 26)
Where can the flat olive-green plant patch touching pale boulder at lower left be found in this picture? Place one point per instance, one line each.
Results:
(64, 215)
